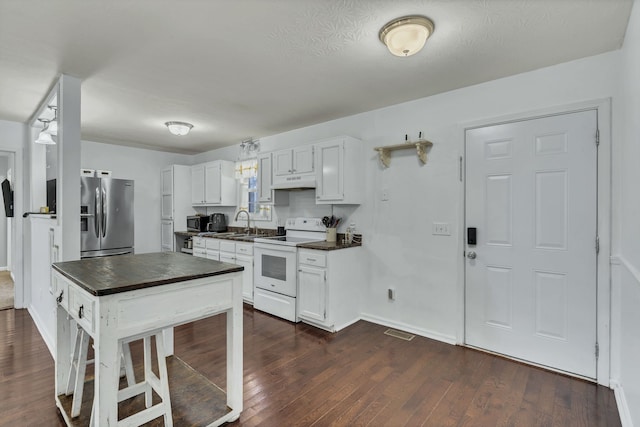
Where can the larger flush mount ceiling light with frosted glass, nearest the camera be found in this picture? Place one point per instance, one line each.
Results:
(407, 35)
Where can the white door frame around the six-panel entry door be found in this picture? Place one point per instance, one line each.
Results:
(603, 282)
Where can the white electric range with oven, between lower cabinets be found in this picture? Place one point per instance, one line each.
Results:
(276, 273)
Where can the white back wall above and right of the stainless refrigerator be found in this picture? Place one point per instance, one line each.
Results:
(143, 166)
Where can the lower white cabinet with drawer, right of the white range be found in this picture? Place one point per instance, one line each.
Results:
(330, 287)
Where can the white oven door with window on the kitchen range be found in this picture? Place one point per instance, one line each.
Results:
(275, 268)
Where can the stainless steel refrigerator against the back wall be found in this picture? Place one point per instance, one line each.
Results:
(106, 217)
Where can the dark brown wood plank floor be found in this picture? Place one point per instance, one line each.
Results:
(299, 375)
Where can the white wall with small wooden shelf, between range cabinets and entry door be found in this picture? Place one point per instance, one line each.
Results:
(401, 250)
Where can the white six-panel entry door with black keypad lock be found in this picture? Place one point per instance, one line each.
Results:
(531, 194)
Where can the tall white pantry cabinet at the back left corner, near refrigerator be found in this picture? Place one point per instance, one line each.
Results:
(175, 204)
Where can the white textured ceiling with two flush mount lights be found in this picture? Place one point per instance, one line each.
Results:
(245, 68)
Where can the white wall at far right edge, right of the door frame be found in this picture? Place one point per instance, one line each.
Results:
(626, 228)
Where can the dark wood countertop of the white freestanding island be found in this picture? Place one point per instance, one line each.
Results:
(122, 273)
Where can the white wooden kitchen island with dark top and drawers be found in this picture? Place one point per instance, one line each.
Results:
(122, 298)
